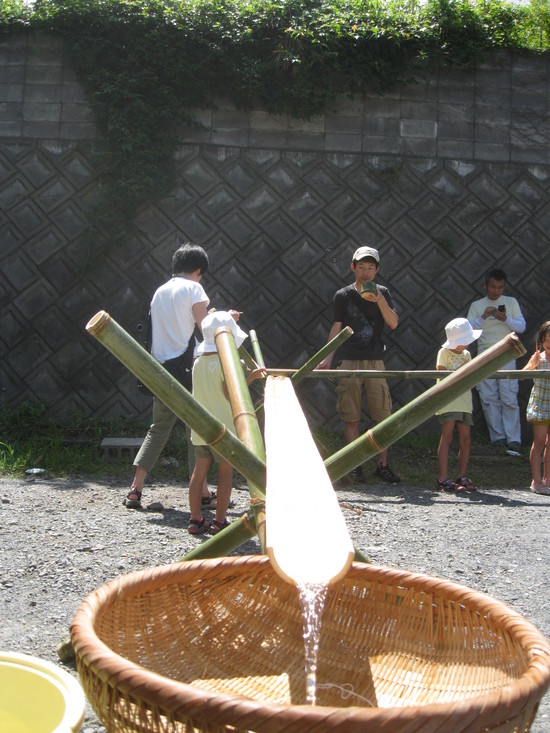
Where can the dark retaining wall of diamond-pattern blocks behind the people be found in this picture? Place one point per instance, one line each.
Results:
(280, 228)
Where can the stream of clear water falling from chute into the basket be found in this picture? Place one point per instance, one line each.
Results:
(312, 601)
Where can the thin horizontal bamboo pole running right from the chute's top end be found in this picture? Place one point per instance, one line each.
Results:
(428, 374)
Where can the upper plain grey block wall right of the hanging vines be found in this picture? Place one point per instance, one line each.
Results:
(497, 112)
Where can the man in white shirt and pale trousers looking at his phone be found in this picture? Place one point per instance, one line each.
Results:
(497, 315)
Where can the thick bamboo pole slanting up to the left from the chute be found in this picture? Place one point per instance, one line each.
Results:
(171, 392)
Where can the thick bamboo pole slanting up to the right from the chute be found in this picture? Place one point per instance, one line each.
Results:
(381, 436)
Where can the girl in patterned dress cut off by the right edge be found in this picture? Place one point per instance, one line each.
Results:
(538, 413)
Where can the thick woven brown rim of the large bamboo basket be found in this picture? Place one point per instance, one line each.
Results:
(184, 700)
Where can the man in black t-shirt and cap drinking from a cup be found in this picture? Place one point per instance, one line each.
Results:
(367, 308)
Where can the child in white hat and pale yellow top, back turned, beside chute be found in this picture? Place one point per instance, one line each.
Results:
(209, 389)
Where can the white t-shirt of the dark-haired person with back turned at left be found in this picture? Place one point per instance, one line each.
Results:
(172, 316)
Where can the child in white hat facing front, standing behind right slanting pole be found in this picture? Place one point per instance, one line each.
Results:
(452, 355)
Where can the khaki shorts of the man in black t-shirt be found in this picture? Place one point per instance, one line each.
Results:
(348, 392)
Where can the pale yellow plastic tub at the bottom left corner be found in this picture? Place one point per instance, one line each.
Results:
(38, 697)
